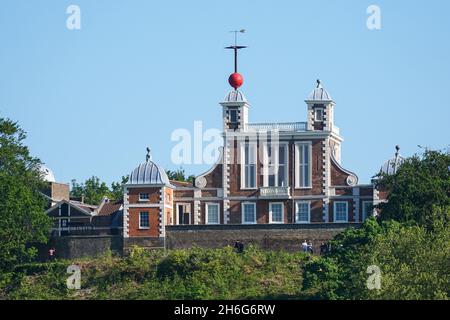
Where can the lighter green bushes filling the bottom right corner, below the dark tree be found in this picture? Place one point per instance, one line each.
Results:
(413, 262)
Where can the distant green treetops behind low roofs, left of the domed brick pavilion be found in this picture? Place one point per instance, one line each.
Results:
(93, 190)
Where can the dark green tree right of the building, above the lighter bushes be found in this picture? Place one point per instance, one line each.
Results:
(421, 184)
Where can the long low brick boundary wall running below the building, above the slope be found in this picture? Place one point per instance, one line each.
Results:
(267, 236)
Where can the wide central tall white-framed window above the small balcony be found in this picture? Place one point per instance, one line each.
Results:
(276, 165)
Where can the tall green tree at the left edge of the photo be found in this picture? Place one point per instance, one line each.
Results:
(23, 222)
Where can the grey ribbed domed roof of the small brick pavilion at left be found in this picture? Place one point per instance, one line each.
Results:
(149, 173)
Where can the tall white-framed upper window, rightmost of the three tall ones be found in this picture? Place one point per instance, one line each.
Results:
(303, 171)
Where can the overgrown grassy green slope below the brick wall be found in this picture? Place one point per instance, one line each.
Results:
(183, 274)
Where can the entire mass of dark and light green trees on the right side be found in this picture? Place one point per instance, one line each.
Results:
(410, 244)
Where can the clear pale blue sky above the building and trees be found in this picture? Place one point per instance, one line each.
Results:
(91, 100)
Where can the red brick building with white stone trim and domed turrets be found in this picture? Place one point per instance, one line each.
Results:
(268, 173)
